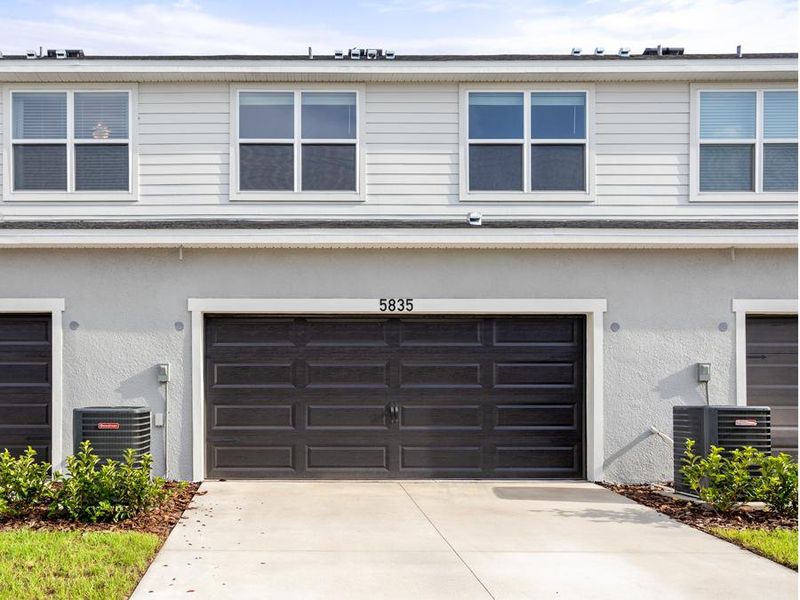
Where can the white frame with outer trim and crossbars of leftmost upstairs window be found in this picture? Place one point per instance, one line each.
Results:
(70, 194)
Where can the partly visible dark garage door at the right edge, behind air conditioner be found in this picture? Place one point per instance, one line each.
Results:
(772, 375)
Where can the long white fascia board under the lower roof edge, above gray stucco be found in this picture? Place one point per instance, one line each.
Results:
(406, 238)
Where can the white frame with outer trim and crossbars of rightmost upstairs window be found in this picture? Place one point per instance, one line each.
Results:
(758, 195)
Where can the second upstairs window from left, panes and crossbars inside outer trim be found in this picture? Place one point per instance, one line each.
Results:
(298, 141)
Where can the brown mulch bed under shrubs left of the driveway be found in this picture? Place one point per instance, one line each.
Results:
(159, 521)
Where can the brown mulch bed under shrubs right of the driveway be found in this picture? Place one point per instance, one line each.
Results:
(701, 516)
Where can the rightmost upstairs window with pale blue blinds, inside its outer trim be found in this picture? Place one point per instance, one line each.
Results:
(748, 141)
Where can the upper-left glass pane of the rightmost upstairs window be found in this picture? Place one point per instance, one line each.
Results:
(727, 115)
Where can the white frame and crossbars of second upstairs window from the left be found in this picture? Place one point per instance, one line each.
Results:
(297, 194)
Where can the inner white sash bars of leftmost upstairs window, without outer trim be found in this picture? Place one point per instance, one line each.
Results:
(71, 141)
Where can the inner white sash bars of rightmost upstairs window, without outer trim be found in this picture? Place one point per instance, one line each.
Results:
(759, 141)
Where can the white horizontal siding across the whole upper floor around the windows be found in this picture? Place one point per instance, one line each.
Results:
(640, 155)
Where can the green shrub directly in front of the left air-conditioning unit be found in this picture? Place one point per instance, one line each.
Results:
(109, 492)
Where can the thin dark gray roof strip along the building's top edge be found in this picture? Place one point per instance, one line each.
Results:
(428, 57)
